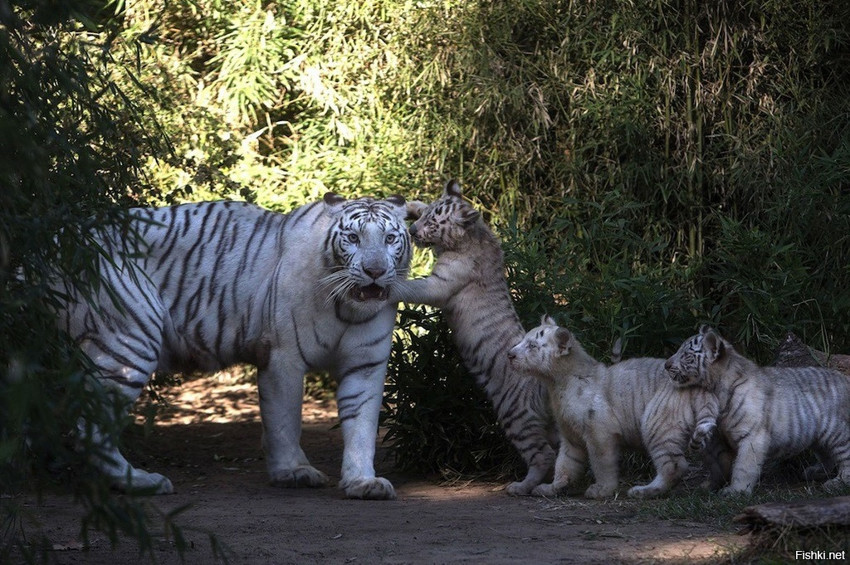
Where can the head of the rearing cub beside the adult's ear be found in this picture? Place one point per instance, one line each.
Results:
(444, 223)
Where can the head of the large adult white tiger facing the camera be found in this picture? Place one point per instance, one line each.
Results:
(367, 249)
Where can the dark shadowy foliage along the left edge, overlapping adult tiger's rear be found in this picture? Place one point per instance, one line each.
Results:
(70, 150)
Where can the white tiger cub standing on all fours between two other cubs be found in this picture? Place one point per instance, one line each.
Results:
(601, 408)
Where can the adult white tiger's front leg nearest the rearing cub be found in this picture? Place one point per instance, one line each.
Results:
(359, 395)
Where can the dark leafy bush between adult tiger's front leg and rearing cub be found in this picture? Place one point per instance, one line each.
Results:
(438, 420)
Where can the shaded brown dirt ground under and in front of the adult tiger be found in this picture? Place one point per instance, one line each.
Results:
(208, 444)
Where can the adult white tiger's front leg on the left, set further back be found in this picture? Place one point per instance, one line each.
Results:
(281, 386)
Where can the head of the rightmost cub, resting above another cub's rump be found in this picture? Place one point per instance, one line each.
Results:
(691, 364)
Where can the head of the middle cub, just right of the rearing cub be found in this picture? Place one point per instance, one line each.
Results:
(541, 347)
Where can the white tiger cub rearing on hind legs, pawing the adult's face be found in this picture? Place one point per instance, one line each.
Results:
(468, 283)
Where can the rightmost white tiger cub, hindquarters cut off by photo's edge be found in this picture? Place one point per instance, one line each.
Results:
(767, 412)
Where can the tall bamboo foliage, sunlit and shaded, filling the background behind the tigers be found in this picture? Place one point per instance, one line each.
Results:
(649, 166)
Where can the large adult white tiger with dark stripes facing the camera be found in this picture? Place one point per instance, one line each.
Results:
(218, 283)
